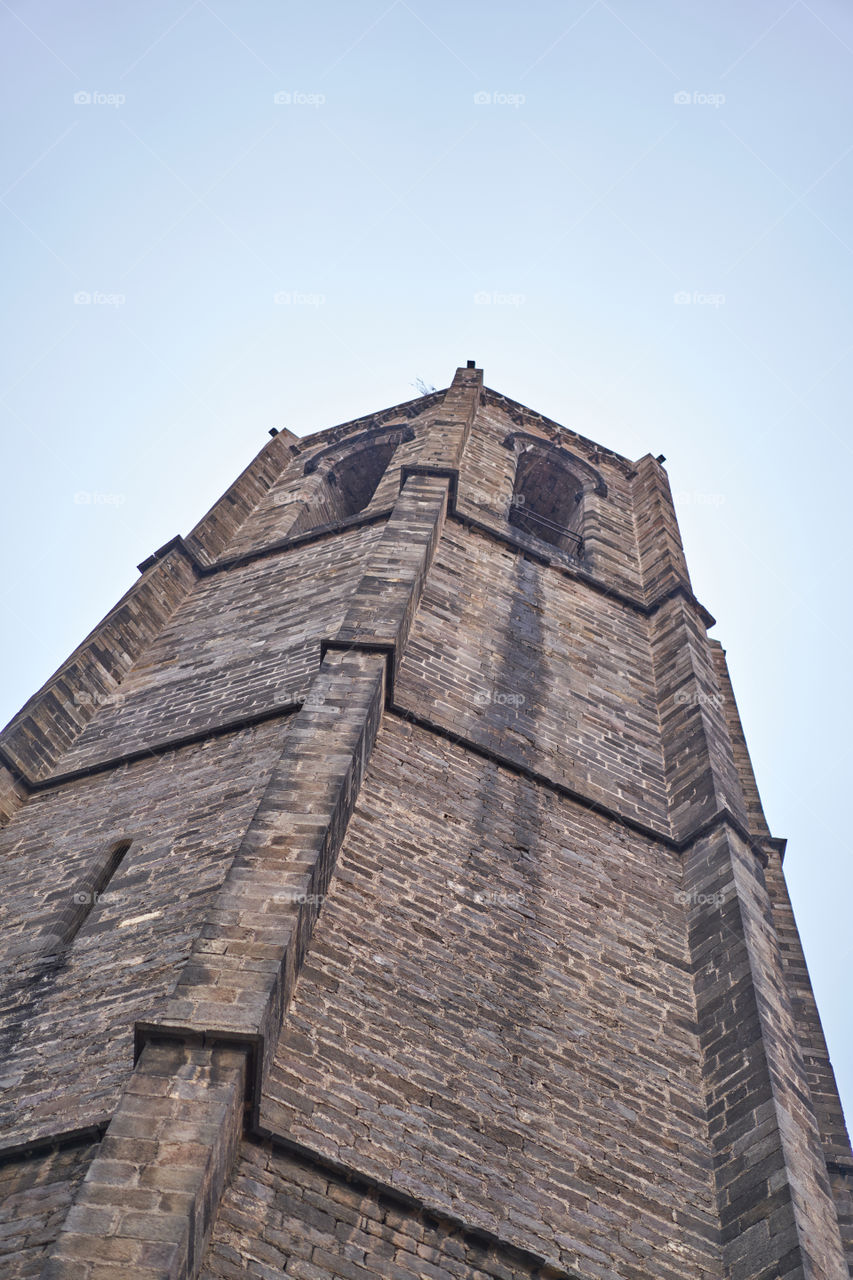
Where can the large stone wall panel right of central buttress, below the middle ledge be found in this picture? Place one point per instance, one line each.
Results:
(496, 1016)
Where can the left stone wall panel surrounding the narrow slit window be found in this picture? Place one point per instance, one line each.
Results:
(69, 1017)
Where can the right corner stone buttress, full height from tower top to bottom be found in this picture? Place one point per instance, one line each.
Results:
(777, 1214)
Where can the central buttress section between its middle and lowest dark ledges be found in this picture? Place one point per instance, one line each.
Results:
(241, 972)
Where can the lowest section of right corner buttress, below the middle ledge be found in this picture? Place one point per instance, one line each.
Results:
(774, 1199)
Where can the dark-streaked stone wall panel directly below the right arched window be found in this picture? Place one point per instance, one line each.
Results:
(540, 669)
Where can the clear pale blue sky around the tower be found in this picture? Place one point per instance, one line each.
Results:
(636, 217)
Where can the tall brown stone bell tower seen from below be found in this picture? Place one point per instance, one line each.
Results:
(386, 893)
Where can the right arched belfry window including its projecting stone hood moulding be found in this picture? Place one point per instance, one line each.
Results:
(551, 492)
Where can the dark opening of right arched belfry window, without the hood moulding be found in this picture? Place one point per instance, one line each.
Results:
(549, 501)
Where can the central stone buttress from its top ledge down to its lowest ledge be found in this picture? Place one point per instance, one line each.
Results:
(241, 972)
